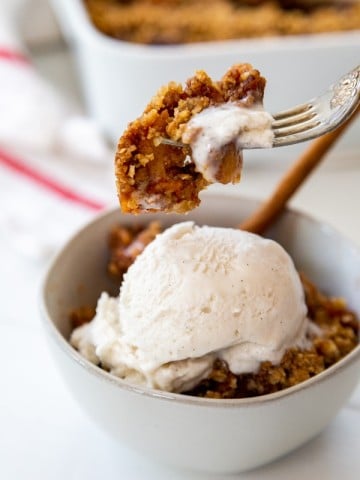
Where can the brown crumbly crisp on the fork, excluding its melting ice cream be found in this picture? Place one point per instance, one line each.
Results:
(152, 176)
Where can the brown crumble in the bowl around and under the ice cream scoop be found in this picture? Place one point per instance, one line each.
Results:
(339, 326)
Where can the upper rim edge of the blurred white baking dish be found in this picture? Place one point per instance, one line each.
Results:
(87, 30)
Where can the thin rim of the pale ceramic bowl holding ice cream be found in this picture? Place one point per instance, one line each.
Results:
(105, 376)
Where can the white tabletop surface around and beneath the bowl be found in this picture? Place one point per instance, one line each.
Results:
(45, 435)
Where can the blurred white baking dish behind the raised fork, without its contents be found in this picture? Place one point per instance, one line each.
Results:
(119, 77)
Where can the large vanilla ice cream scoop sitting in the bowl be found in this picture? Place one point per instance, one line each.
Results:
(196, 294)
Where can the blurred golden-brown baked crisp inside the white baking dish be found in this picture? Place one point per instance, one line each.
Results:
(160, 22)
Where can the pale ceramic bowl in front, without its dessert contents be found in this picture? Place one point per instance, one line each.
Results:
(203, 434)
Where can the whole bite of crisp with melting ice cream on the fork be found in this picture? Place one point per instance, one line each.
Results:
(189, 137)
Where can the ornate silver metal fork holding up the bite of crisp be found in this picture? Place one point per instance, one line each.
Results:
(314, 118)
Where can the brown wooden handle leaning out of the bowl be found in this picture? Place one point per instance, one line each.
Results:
(292, 180)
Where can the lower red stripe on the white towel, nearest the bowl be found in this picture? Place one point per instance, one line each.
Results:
(20, 167)
